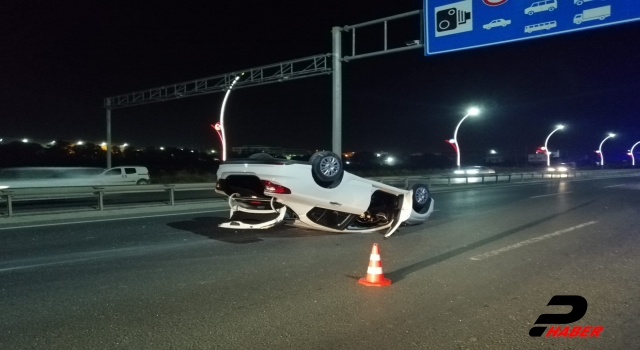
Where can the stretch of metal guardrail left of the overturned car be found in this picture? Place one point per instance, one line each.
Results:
(97, 192)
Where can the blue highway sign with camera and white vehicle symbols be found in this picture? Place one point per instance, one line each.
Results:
(453, 25)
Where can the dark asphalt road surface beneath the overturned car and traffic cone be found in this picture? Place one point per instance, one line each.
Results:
(475, 276)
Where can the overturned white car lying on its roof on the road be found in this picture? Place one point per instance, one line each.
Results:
(264, 191)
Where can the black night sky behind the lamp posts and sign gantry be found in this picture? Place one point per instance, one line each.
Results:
(60, 59)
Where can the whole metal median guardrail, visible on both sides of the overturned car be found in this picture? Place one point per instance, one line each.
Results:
(99, 192)
